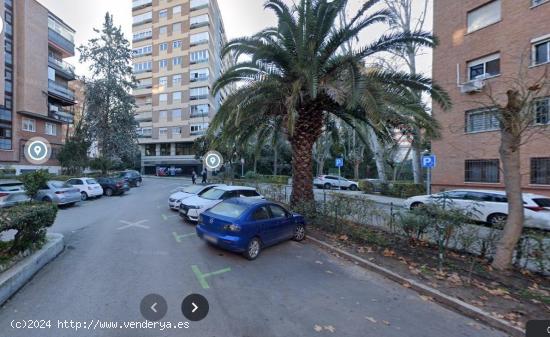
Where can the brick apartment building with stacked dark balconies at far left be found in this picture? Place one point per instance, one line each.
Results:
(35, 100)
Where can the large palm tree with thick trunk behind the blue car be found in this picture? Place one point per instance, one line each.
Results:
(297, 72)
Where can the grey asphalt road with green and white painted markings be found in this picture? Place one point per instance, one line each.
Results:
(121, 249)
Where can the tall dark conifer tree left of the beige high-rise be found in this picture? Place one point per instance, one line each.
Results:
(110, 108)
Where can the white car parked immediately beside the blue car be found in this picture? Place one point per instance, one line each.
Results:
(192, 207)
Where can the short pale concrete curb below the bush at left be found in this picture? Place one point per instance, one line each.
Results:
(17, 276)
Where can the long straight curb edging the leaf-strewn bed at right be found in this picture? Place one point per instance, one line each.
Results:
(446, 300)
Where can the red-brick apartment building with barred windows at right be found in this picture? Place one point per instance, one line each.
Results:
(484, 46)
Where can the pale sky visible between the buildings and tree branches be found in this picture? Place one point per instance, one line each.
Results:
(241, 18)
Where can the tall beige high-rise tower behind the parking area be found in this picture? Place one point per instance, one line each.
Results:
(176, 47)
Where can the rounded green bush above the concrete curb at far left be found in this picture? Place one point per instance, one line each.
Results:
(31, 221)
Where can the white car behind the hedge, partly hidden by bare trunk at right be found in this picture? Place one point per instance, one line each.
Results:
(490, 206)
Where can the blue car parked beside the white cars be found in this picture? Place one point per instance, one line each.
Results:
(246, 225)
